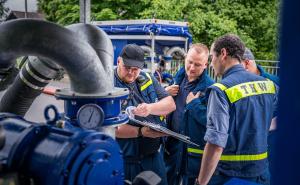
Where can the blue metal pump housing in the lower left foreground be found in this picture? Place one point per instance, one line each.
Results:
(53, 156)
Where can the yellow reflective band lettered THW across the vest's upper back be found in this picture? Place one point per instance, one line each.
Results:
(243, 90)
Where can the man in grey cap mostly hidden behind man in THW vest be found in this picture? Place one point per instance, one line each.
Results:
(250, 65)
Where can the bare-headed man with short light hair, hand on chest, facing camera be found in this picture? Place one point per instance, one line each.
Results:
(189, 118)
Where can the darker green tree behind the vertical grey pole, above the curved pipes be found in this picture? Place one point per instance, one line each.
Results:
(67, 11)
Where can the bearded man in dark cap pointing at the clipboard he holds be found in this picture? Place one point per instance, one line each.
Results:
(140, 145)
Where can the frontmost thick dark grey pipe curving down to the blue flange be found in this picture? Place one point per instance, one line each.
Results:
(44, 39)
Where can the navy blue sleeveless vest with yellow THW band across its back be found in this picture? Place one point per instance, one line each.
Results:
(251, 100)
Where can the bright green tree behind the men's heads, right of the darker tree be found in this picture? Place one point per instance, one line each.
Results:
(254, 21)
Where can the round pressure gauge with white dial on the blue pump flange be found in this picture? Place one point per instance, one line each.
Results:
(90, 116)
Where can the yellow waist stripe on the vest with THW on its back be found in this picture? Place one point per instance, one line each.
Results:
(255, 157)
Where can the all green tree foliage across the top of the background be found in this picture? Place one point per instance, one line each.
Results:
(254, 21)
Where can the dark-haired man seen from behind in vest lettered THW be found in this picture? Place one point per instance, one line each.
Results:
(240, 110)
